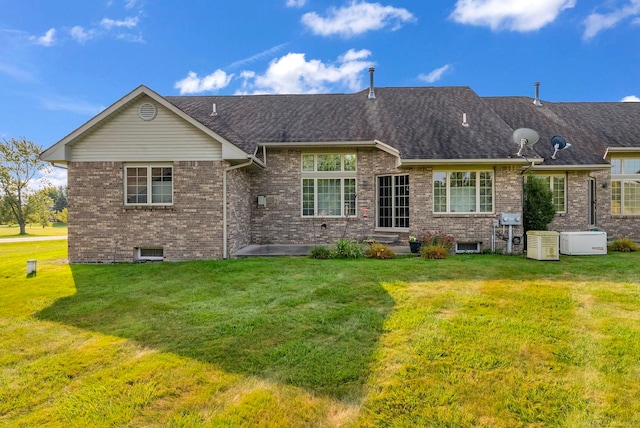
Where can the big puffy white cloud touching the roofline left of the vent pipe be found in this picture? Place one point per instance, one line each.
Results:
(293, 74)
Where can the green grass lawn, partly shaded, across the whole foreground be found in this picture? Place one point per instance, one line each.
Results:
(494, 341)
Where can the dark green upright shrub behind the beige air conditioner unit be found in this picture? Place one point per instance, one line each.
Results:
(539, 210)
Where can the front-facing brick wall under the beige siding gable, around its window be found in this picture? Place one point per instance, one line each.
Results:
(102, 230)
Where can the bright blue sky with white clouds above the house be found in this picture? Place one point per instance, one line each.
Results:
(63, 62)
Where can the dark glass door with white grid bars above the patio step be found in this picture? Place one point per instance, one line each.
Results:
(393, 201)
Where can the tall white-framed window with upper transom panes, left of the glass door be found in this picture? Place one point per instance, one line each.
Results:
(328, 185)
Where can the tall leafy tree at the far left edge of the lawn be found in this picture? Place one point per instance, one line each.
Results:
(20, 162)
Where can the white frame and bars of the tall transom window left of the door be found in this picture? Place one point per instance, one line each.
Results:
(347, 175)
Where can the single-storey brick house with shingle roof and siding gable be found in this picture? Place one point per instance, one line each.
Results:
(199, 177)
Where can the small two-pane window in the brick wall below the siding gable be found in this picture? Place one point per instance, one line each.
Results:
(148, 185)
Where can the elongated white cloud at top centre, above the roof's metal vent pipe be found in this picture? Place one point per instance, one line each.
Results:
(357, 18)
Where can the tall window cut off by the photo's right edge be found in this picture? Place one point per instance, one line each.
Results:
(625, 186)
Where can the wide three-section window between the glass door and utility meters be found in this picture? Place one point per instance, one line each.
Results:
(463, 191)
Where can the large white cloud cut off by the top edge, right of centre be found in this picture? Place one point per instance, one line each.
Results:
(514, 15)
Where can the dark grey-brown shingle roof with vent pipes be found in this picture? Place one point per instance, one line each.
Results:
(421, 122)
